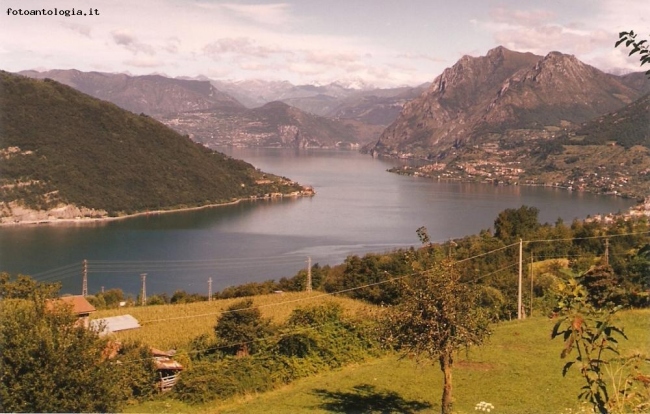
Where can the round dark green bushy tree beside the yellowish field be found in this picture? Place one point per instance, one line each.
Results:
(240, 327)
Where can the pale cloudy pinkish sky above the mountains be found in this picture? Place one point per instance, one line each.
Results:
(373, 42)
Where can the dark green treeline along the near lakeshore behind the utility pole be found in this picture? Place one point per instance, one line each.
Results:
(489, 261)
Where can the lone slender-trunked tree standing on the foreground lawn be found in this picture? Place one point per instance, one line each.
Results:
(438, 316)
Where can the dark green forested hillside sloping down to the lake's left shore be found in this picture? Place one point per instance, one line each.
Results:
(58, 145)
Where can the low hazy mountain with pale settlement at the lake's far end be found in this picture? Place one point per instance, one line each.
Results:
(275, 124)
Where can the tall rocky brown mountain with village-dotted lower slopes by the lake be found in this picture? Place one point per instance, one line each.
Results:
(512, 118)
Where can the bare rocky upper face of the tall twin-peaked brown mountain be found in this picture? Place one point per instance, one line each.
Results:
(504, 90)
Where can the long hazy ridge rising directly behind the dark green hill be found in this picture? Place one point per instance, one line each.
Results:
(152, 94)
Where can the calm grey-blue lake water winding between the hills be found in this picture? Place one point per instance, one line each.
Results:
(359, 208)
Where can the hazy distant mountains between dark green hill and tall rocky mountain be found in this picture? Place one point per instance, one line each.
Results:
(210, 111)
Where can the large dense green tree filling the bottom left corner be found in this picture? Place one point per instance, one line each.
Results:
(51, 364)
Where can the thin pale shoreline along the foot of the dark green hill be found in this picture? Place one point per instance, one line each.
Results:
(305, 192)
